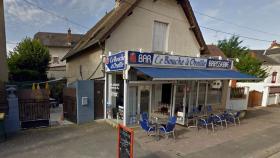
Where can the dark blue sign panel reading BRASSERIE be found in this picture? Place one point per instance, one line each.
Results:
(218, 64)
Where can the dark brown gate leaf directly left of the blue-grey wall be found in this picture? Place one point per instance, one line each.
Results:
(70, 104)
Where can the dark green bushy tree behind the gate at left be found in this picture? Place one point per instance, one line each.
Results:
(28, 61)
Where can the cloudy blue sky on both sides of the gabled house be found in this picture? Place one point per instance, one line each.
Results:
(254, 19)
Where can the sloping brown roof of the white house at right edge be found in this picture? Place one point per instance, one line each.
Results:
(266, 60)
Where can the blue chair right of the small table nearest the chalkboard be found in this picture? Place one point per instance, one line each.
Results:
(169, 128)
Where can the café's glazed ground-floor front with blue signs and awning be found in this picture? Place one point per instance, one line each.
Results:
(164, 84)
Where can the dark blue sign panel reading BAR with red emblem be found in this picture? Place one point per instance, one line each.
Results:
(140, 58)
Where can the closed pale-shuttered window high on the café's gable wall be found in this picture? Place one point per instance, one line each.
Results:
(160, 36)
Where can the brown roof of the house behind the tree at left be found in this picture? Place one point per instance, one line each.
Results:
(51, 39)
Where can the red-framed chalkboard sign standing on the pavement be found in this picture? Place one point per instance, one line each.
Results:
(125, 142)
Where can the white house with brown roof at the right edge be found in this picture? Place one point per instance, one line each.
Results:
(270, 86)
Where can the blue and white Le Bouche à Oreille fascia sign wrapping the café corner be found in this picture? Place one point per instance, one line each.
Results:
(117, 61)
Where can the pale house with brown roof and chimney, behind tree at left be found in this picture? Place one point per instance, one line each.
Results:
(59, 44)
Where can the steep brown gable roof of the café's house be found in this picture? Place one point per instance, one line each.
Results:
(98, 34)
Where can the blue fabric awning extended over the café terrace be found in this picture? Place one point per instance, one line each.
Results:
(193, 74)
